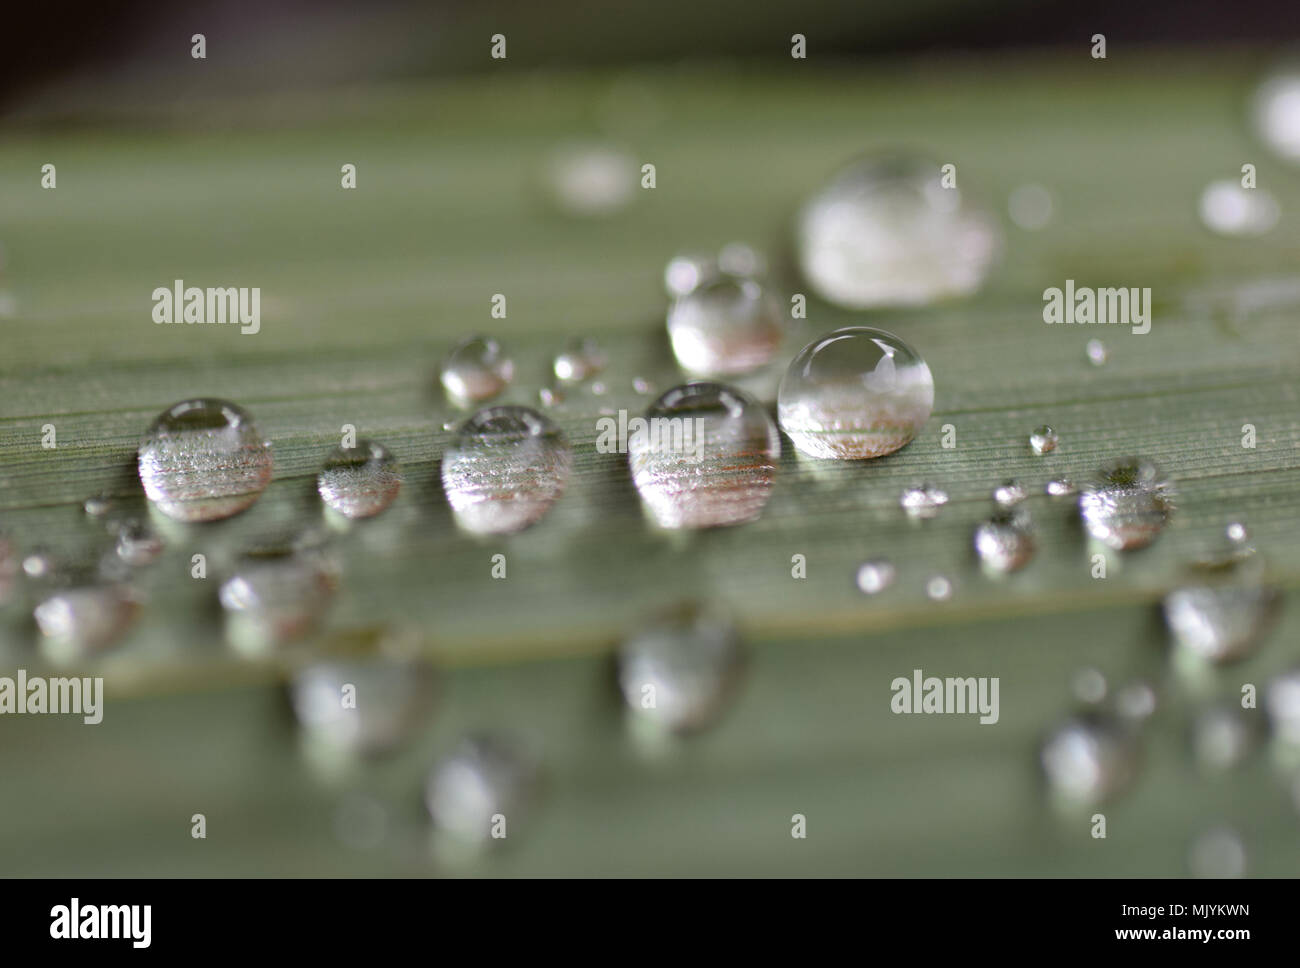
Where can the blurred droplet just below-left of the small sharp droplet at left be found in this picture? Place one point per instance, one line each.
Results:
(279, 593)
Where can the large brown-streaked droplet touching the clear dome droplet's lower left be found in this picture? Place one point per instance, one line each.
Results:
(705, 457)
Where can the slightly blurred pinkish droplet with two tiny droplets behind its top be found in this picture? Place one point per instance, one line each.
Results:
(726, 325)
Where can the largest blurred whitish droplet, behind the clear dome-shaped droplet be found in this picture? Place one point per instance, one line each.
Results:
(886, 232)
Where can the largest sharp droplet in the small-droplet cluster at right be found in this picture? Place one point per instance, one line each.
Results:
(1128, 506)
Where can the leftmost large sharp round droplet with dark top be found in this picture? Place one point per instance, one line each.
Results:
(203, 461)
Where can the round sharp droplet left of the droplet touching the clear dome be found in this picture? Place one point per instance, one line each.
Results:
(505, 471)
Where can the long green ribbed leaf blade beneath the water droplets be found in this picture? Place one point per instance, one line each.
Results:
(365, 290)
